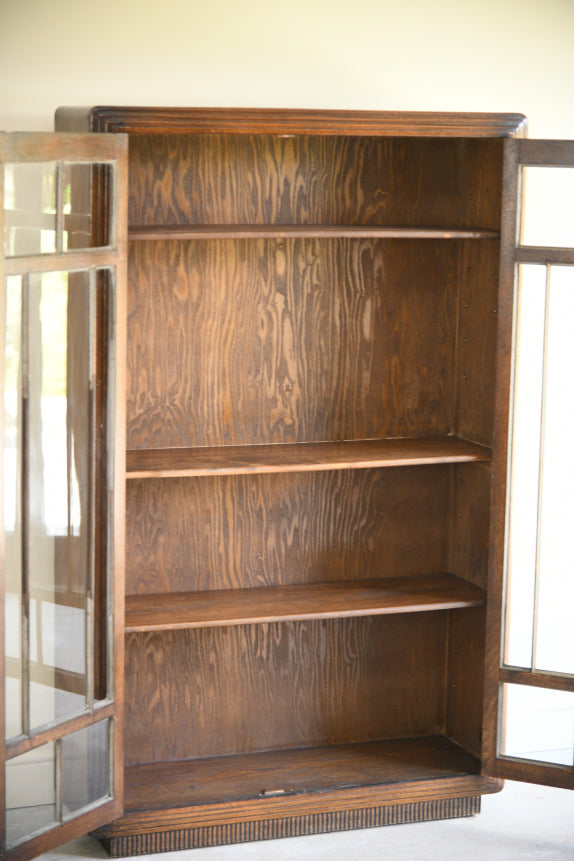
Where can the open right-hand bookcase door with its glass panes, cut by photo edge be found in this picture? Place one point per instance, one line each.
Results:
(529, 718)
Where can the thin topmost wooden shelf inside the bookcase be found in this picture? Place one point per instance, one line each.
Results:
(139, 232)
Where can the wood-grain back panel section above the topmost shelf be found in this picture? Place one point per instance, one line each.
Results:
(265, 179)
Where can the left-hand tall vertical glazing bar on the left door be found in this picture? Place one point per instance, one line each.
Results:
(25, 512)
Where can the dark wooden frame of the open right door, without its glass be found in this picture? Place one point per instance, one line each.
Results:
(517, 154)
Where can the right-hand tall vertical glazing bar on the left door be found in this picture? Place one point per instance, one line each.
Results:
(91, 548)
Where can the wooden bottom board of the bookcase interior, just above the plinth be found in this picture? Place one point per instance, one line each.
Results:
(293, 772)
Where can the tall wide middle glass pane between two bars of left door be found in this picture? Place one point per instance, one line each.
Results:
(59, 516)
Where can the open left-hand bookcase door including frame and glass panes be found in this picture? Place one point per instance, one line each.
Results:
(63, 207)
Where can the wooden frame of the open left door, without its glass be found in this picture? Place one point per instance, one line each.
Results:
(111, 150)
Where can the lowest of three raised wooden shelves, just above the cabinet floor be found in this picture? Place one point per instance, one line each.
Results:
(224, 607)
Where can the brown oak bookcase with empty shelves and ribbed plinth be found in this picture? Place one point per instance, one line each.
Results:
(318, 388)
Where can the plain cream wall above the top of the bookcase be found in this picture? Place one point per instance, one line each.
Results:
(479, 55)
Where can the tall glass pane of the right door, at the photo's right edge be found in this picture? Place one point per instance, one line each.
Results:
(554, 650)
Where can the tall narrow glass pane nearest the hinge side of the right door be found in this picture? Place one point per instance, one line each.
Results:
(524, 467)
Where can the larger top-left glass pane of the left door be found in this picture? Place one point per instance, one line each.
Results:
(30, 208)
